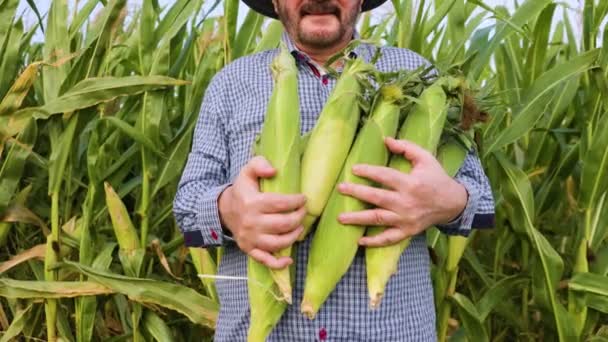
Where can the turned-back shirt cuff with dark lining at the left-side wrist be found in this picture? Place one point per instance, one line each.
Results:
(210, 232)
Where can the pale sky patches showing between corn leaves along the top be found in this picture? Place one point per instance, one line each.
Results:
(43, 5)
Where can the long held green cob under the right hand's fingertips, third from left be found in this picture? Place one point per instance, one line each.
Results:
(334, 245)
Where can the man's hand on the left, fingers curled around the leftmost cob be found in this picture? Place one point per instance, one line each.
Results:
(261, 223)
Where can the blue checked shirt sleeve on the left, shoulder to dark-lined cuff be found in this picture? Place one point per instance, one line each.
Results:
(206, 174)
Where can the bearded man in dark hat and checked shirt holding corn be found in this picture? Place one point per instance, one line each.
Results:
(218, 202)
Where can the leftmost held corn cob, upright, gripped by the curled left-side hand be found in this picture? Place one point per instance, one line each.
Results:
(279, 143)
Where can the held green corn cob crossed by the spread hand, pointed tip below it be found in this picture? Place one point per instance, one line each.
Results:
(423, 126)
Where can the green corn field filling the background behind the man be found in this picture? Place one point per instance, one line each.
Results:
(96, 123)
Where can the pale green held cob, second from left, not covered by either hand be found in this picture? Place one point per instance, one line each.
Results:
(336, 128)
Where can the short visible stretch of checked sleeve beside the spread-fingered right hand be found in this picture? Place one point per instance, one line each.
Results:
(479, 210)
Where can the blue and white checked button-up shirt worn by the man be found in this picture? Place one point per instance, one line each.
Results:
(231, 116)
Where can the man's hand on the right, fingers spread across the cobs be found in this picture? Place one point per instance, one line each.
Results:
(407, 204)
